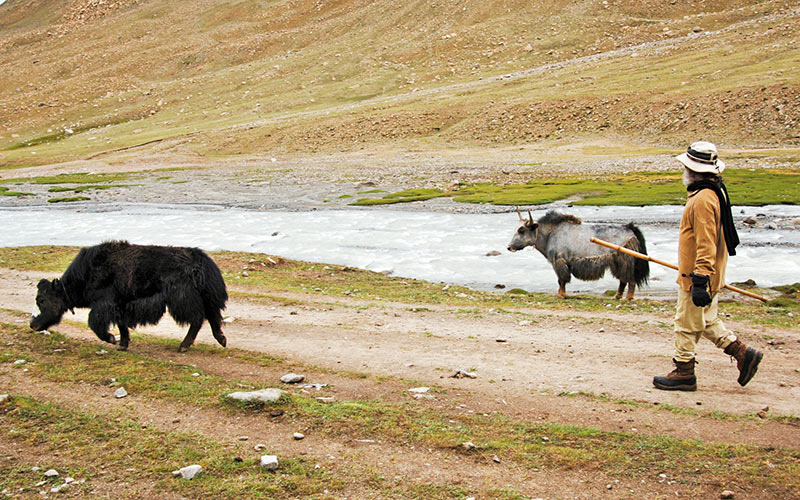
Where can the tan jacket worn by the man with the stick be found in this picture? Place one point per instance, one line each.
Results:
(701, 245)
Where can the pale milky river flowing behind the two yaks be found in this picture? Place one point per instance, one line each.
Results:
(434, 246)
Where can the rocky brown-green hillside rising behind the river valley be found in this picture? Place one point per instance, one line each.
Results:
(86, 77)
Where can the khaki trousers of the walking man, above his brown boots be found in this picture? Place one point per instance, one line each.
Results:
(692, 322)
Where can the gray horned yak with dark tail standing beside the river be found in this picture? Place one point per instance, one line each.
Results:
(564, 240)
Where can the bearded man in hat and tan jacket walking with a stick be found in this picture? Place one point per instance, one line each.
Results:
(707, 237)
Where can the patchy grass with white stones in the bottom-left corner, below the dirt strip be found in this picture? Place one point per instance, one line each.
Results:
(99, 445)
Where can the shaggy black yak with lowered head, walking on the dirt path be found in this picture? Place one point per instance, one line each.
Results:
(131, 285)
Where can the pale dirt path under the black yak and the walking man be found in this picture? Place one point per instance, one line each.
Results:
(557, 353)
